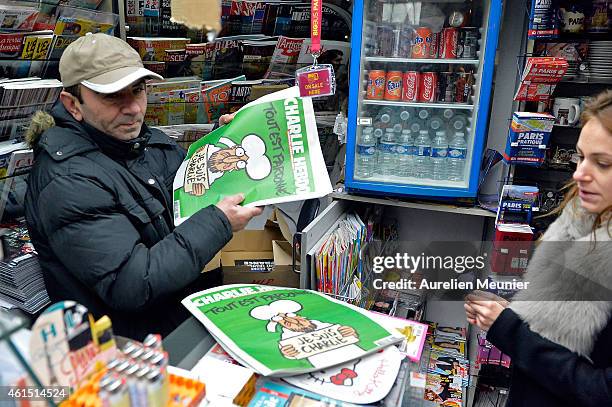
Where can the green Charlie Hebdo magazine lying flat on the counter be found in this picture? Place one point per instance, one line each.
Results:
(286, 331)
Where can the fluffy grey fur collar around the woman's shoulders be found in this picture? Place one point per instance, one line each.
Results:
(562, 275)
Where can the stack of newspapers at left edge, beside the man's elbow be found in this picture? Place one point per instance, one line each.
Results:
(21, 280)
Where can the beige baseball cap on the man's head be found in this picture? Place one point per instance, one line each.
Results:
(102, 63)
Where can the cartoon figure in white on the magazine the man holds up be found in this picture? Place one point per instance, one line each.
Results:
(210, 162)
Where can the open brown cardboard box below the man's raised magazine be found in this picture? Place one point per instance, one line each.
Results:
(257, 257)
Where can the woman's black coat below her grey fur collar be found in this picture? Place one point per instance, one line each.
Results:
(547, 374)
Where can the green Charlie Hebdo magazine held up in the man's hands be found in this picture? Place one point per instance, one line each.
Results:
(270, 153)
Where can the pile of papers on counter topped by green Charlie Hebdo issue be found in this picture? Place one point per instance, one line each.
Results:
(306, 343)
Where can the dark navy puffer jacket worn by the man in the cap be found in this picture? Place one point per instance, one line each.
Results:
(99, 213)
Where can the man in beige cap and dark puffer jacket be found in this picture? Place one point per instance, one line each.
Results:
(99, 201)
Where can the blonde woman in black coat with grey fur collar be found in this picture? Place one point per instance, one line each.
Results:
(558, 332)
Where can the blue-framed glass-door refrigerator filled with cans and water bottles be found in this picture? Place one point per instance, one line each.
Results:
(420, 89)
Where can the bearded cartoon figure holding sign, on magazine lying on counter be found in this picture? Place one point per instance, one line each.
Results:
(321, 343)
